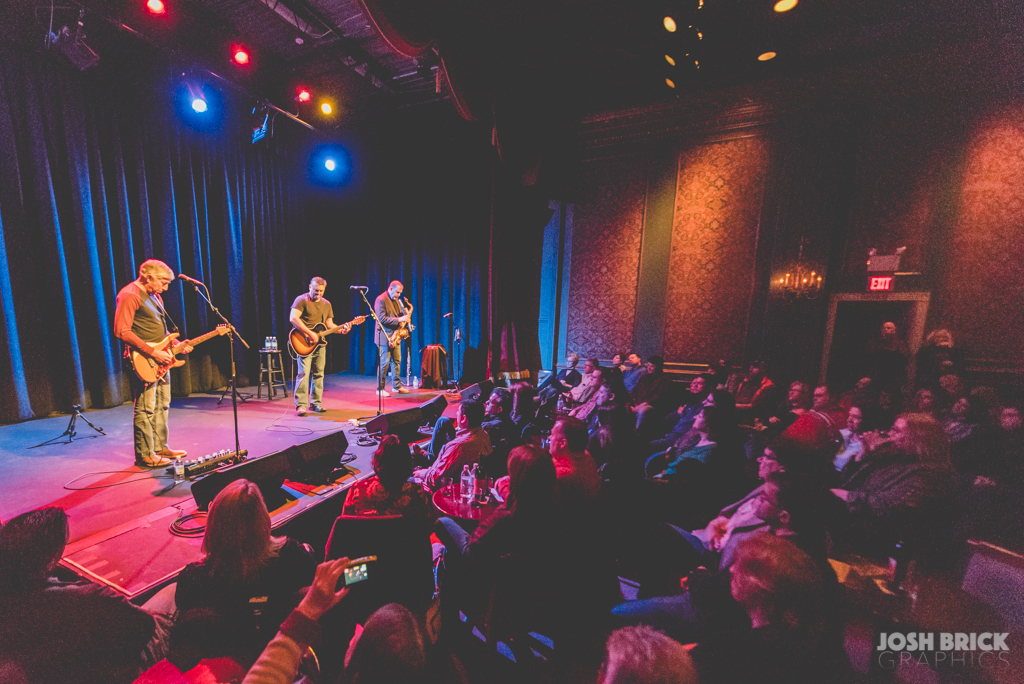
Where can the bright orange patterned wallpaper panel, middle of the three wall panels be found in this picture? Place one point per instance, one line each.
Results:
(718, 203)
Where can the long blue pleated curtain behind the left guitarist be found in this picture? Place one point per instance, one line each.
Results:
(97, 178)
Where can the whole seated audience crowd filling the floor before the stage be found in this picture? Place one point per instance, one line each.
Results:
(753, 587)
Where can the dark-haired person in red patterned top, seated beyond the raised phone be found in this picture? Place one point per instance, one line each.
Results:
(389, 491)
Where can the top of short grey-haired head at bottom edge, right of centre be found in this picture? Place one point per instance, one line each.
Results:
(645, 656)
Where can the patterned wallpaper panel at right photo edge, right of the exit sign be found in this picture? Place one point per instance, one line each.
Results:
(984, 296)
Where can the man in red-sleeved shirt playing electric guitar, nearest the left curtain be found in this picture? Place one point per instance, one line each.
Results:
(141, 322)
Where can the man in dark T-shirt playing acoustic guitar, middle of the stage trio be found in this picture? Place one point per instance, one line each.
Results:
(309, 311)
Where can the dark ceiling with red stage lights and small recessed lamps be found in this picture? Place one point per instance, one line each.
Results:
(575, 55)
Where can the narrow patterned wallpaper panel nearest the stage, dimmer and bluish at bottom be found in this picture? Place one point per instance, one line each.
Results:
(607, 235)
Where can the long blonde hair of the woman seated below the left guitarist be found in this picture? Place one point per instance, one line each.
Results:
(238, 542)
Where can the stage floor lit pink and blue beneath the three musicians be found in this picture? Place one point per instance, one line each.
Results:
(120, 514)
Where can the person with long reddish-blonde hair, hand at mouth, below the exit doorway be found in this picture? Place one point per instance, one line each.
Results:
(899, 490)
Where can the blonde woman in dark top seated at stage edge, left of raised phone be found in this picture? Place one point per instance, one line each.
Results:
(247, 576)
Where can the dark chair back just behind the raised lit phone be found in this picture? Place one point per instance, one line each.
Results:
(404, 572)
